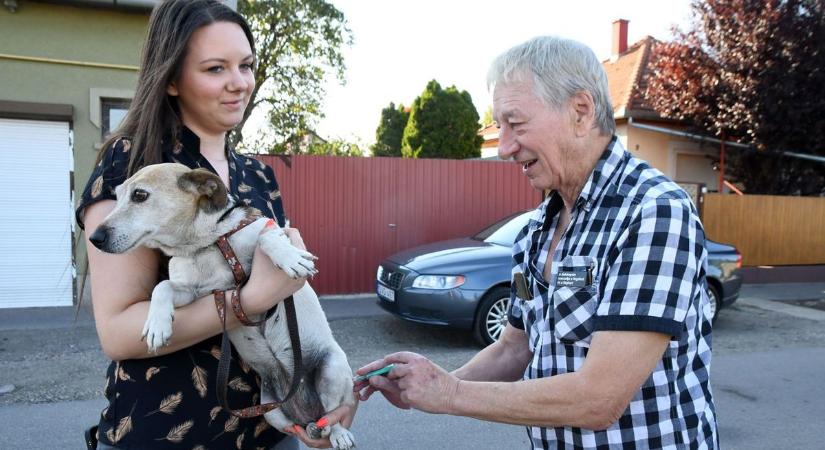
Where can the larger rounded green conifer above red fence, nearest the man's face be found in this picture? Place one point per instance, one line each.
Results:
(443, 123)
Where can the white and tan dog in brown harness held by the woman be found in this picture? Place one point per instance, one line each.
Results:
(183, 212)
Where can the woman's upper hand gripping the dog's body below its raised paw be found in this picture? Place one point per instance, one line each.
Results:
(268, 285)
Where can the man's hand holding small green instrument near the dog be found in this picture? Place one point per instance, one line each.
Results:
(414, 382)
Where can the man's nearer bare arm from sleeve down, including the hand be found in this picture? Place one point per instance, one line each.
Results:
(594, 397)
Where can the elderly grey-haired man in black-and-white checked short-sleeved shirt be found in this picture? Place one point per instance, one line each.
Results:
(608, 341)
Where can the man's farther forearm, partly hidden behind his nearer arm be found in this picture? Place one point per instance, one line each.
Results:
(503, 360)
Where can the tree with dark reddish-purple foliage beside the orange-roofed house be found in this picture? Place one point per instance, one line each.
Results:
(751, 71)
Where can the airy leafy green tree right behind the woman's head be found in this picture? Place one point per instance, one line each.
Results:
(299, 43)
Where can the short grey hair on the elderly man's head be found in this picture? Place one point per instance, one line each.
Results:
(560, 68)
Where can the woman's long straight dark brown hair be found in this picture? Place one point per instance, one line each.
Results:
(153, 113)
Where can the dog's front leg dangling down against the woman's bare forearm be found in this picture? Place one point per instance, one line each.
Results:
(165, 298)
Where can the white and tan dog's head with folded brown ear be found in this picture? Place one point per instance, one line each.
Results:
(159, 206)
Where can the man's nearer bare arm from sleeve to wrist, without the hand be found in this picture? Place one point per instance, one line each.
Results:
(594, 397)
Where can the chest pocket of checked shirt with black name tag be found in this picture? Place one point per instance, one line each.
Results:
(574, 307)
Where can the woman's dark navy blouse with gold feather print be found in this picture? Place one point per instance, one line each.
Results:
(169, 401)
